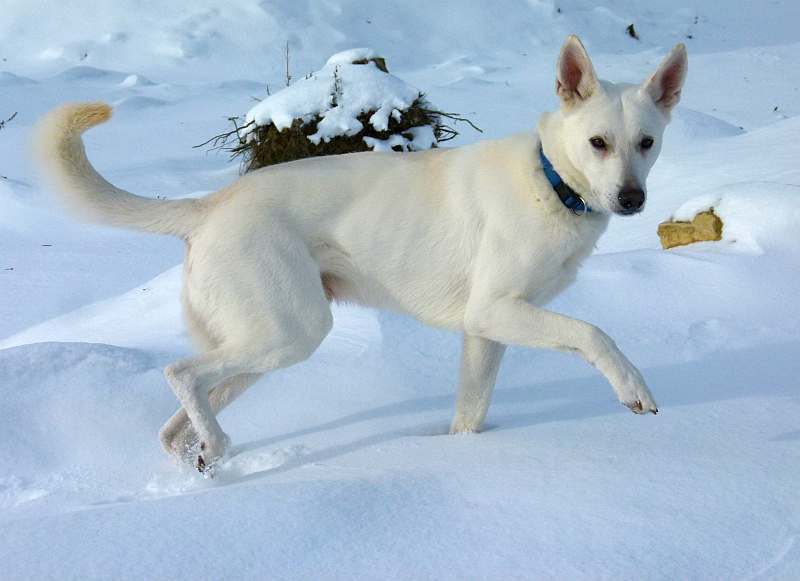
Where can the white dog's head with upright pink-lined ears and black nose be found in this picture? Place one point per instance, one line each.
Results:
(611, 133)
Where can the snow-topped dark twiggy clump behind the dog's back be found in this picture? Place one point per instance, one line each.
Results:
(352, 104)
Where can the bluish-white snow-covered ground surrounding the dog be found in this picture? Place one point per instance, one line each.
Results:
(342, 469)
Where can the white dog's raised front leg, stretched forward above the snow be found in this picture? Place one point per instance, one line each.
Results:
(515, 321)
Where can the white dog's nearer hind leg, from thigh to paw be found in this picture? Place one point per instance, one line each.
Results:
(267, 310)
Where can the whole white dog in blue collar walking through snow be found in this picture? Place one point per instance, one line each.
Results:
(473, 239)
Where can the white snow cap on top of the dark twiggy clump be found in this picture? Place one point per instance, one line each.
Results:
(338, 93)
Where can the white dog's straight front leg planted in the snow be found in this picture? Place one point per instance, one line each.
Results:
(480, 361)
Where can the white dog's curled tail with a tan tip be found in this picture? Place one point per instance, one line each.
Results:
(68, 172)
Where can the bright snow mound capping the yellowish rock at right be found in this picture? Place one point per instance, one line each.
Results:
(756, 216)
